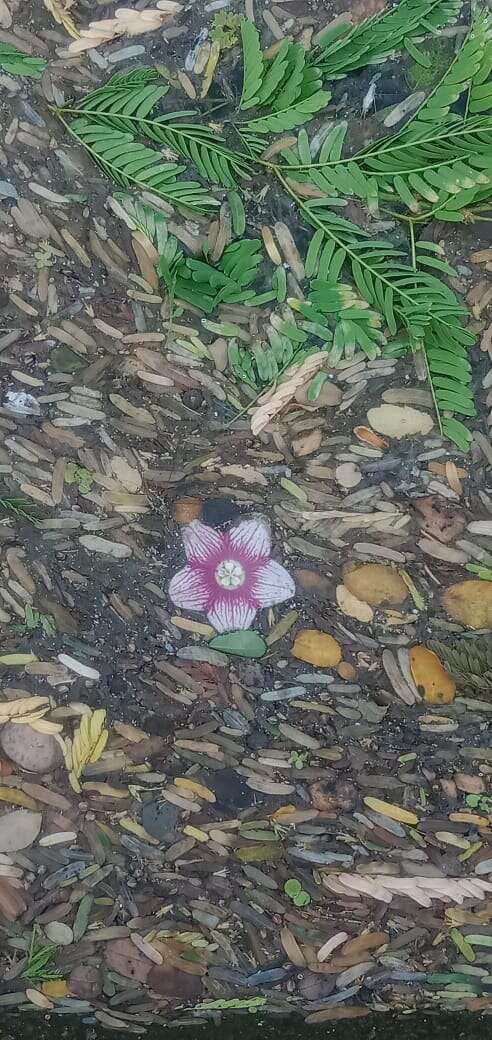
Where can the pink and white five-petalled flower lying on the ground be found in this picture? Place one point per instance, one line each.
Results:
(230, 575)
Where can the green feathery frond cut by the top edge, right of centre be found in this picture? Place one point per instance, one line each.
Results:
(344, 49)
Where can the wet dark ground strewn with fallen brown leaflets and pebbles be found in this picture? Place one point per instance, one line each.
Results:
(303, 829)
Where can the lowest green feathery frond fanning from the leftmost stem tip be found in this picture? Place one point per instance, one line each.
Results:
(130, 163)
